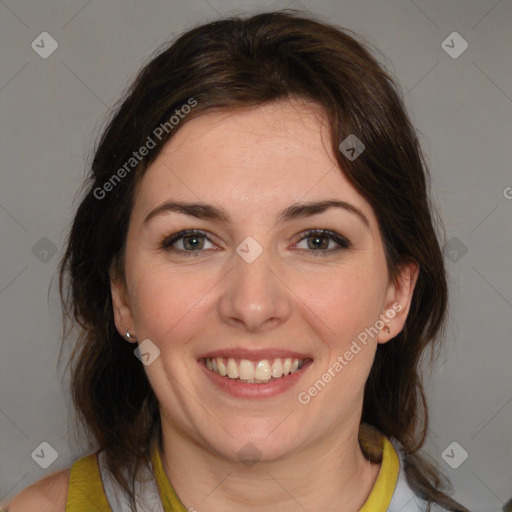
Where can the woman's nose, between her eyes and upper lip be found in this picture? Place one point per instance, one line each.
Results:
(255, 298)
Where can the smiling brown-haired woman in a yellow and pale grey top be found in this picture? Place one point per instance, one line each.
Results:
(256, 274)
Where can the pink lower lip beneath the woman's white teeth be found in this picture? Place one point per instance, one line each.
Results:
(269, 389)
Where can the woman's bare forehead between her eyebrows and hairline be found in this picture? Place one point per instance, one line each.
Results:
(251, 161)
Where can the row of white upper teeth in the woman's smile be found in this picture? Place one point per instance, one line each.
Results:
(246, 370)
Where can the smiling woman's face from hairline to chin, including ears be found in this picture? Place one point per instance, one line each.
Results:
(258, 288)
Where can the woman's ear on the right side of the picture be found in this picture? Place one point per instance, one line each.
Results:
(398, 302)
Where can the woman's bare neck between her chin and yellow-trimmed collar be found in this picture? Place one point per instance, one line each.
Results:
(330, 475)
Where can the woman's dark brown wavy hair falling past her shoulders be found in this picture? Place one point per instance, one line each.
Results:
(238, 63)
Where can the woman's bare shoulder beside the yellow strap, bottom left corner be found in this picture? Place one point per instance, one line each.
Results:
(46, 495)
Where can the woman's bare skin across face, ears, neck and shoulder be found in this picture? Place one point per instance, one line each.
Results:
(255, 163)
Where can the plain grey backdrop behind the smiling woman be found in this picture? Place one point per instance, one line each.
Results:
(52, 110)
